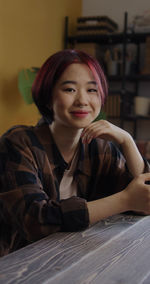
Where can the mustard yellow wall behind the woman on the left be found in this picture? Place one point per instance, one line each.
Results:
(30, 31)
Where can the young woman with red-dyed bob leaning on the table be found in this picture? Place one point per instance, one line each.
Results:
(66, 173)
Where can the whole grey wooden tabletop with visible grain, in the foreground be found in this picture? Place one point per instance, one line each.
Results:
(114, 251)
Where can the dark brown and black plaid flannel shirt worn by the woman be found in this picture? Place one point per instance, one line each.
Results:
(31, 168)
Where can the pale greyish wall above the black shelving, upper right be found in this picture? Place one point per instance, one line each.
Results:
(115, 9)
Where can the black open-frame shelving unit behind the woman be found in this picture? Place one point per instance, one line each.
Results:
(120, 104)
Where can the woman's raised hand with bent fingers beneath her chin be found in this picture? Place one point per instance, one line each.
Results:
(105, 130)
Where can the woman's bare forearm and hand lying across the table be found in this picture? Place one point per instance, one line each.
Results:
(135, 197)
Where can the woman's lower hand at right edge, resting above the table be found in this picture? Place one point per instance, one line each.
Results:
(138, 194)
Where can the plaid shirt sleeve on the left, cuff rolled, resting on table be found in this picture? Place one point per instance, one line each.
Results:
(34, 213)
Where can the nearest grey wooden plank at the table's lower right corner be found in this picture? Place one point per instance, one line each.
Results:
(124, 259)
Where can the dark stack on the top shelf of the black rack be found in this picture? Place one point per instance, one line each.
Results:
(96, 25)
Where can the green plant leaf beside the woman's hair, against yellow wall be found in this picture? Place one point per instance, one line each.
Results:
(25, 80)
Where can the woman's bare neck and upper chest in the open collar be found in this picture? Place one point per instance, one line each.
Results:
(67, 140)
